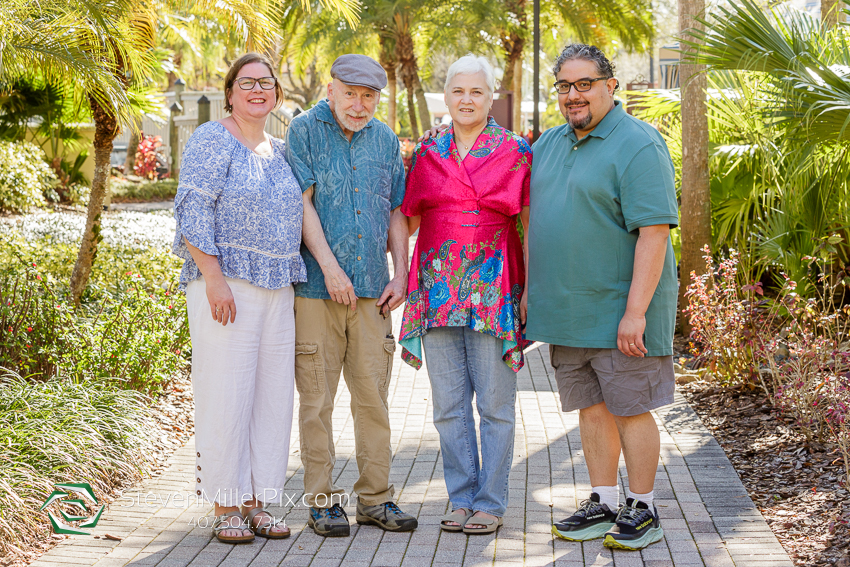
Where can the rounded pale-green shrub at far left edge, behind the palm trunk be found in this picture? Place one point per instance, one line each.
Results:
(25, 177)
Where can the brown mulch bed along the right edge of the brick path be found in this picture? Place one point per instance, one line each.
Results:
(797, 484)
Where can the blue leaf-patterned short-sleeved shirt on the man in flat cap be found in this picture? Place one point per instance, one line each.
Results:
(356, 186)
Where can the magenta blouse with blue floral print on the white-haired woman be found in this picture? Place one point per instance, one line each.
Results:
(467, 268)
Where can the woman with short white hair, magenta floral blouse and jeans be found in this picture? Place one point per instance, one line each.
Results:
(466, 302)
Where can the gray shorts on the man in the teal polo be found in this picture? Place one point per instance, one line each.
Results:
(628, 385)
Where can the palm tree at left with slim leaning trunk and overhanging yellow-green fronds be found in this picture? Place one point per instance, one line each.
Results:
(105, 48)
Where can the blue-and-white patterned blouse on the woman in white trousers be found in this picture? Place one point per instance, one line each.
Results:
(240, 206)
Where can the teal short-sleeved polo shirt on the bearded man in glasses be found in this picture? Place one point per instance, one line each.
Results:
(589, 197)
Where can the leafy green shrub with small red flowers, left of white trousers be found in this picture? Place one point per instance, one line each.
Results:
(130, 333)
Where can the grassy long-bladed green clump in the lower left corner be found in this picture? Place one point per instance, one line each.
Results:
(64, 431)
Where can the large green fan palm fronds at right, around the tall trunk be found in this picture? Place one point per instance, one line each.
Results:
(778, 111)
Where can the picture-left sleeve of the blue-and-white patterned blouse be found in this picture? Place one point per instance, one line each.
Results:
(203, 173)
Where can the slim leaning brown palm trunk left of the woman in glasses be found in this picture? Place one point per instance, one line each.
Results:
(106, 128)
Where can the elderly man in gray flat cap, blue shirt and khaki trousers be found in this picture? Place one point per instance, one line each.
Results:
(351, 173)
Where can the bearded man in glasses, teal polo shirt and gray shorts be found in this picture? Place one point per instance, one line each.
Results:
(602, 289)
